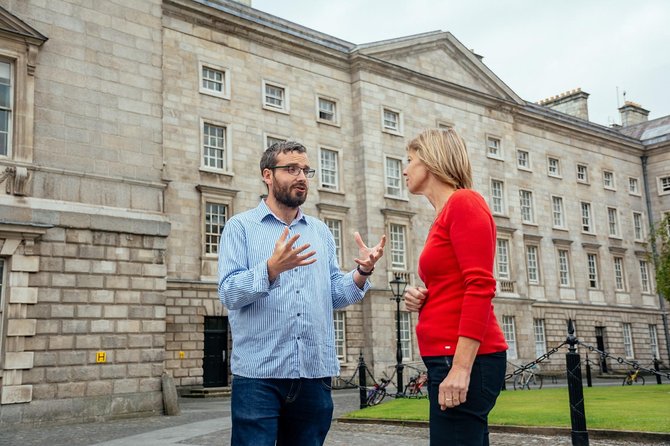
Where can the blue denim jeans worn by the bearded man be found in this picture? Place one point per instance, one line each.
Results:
(292, 412)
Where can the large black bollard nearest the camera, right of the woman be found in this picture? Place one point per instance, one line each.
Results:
(580, 437)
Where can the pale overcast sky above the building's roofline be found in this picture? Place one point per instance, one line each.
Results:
(539, 48)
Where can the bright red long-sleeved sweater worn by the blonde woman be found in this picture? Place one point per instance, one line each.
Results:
(457, 267)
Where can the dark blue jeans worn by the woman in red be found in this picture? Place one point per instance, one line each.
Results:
(466, 424)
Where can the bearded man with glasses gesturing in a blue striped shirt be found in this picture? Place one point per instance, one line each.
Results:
(280, 280)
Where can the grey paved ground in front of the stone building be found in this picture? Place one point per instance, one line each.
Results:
(206, 422)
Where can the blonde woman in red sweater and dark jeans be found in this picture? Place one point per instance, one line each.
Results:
(459, 338)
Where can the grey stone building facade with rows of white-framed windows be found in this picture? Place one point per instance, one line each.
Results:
(134, 130)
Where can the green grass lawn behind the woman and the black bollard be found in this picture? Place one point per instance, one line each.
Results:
(633, 408)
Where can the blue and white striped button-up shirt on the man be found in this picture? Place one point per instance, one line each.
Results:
(282, 329)
